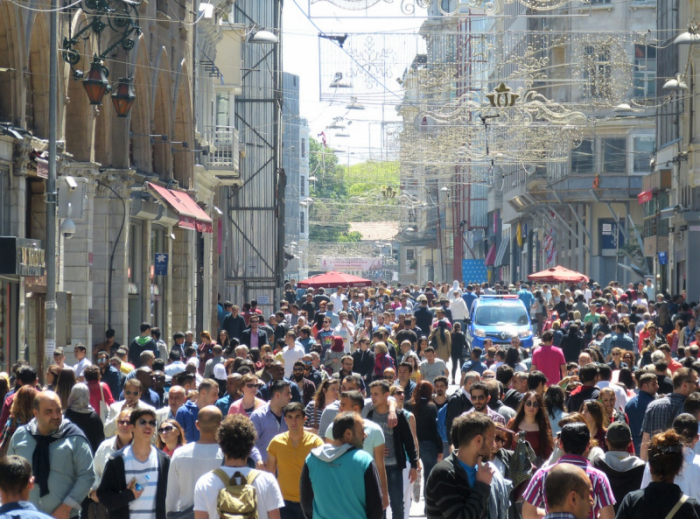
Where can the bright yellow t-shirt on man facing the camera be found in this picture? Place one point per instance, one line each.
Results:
(290, 461)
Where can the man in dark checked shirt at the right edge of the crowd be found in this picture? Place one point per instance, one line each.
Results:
(661, 412)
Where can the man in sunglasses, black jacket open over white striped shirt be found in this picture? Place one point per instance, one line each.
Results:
(134, 482)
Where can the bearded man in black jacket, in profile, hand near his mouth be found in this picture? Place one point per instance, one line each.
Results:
(461, 484)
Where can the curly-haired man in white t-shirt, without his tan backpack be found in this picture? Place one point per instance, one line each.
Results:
(236, 440)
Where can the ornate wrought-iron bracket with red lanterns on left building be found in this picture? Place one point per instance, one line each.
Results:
(122, 18)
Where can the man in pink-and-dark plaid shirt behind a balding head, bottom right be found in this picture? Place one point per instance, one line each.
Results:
(575, 441)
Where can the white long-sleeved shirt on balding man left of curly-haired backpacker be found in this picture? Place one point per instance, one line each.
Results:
(187, 464)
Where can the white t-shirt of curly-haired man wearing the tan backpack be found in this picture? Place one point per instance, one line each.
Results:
(207, 490)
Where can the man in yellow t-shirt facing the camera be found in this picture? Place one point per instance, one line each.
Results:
(285, 457)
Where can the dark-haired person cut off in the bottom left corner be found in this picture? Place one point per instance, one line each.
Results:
(16, 483)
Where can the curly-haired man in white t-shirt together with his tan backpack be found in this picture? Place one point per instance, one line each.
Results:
(234, 489)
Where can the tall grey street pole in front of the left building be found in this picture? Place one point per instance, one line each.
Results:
(51, 196)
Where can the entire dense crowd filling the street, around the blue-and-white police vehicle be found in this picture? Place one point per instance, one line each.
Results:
(339, 405)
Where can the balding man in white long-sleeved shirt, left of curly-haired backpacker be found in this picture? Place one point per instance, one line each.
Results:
(190, 462)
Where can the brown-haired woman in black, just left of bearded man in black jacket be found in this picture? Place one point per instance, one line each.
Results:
(429, 441)
